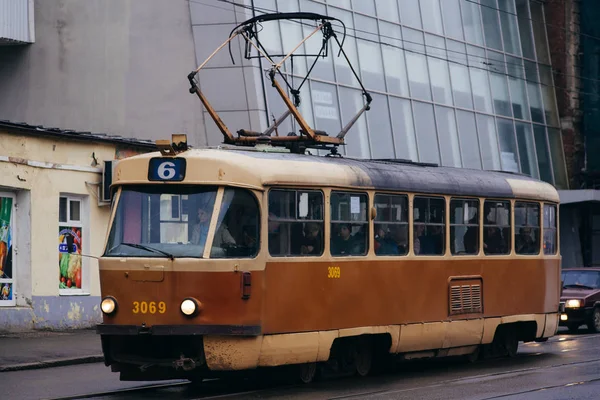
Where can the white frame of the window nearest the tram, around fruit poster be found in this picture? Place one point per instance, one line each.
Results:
(83, 224)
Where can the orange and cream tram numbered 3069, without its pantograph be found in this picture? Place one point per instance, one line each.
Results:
(225, 259)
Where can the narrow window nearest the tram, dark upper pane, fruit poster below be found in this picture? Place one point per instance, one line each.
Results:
(70, 233)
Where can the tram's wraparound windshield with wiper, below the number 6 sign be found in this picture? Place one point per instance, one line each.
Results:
(174, 221)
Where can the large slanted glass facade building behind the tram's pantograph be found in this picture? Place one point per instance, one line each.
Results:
(463, 83)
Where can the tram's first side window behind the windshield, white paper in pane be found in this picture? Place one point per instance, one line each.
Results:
(295, 223)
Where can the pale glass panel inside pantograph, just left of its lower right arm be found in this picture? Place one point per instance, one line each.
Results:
(326, 108)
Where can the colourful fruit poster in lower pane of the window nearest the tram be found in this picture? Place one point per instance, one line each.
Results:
(69, 259)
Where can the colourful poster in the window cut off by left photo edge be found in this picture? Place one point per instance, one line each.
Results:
(6, 253)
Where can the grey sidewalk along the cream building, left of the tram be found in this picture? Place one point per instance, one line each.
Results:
(44, 349)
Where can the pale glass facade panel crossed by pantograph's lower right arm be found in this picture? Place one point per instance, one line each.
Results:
(357, 138)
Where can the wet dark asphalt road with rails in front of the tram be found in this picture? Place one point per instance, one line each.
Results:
(566, 367)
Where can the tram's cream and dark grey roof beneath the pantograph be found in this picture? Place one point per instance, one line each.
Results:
(259, 169)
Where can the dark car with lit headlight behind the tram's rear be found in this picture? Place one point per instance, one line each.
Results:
(580, 299)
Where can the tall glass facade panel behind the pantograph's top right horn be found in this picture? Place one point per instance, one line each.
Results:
(343, 72)
